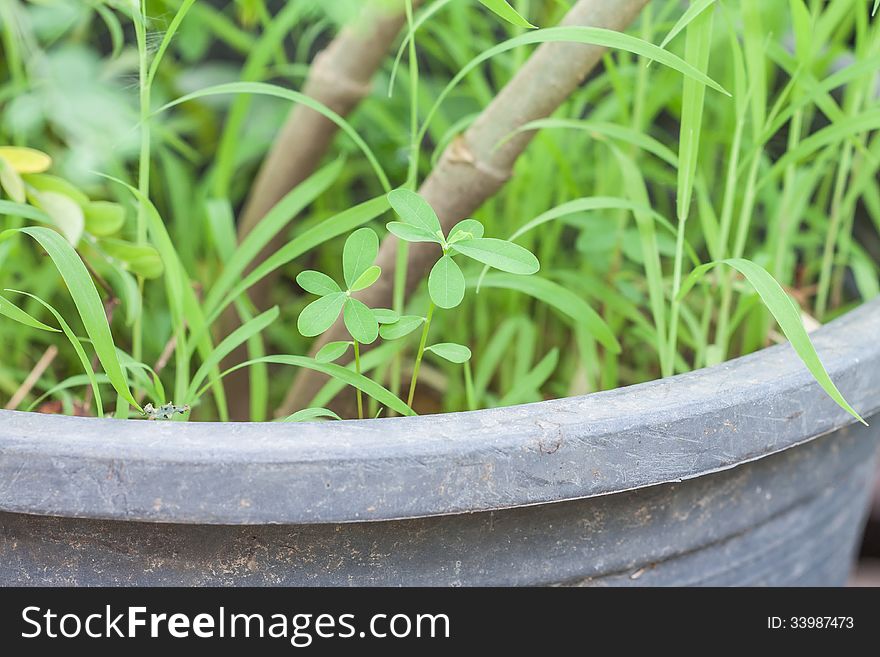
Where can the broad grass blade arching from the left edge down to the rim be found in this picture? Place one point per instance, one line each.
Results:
(86, 299)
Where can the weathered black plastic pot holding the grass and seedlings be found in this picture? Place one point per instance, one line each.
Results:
(744, 473)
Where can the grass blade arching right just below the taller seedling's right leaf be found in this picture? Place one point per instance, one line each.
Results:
(553, 294)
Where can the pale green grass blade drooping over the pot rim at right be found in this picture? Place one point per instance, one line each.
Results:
(787, 315)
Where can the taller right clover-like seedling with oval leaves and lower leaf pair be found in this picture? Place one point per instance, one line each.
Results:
(446, 282)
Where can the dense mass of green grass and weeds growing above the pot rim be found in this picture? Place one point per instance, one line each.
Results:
(714, 179)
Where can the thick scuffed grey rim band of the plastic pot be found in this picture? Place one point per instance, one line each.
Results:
(662, 431)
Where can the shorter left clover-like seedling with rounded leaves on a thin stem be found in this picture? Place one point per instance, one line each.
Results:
(361, 322)
